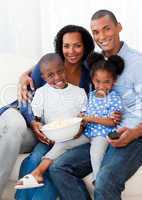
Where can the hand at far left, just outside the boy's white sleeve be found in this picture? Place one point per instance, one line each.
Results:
(24, 82)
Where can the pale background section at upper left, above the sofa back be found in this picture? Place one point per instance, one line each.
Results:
(20, 31)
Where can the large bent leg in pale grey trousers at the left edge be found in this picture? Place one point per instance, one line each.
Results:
(13, 130)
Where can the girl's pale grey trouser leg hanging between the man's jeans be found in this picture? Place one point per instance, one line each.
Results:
(98, 148)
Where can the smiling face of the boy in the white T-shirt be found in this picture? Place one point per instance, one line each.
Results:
(54, 74)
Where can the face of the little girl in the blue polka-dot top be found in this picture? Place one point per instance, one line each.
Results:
(103, 82)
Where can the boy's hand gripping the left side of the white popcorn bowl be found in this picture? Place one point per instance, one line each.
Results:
(36, 126)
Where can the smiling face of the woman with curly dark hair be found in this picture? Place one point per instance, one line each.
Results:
(73, 47)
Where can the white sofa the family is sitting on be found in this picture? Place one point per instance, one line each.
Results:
(11, 67)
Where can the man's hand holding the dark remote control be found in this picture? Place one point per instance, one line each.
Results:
(127, 135)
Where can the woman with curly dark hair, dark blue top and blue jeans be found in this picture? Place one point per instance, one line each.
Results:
(74, 44)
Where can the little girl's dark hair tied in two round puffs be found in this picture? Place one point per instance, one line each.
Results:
(113, 64)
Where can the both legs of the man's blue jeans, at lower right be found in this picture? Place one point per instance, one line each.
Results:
(118, 166)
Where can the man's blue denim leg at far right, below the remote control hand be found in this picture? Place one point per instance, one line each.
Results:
(118, 166)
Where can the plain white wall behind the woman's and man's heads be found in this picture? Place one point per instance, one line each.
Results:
(54, 16)
